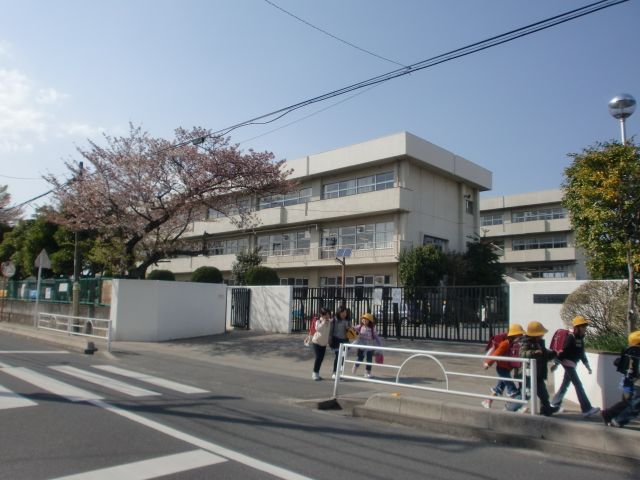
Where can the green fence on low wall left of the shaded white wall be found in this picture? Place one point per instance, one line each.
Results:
(93, 291)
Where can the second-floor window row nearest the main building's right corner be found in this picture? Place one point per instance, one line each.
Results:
(372, 235)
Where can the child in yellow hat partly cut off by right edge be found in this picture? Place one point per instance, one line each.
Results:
(628, 364)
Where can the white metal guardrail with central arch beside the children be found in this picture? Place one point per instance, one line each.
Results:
(347, 357)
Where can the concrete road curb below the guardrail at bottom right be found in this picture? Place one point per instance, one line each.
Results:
(588, 441)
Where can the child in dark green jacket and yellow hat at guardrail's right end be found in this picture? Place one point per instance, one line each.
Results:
(533, 347)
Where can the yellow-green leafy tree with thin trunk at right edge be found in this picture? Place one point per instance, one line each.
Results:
(602, 194)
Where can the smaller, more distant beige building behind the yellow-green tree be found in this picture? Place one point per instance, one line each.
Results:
(533, 236)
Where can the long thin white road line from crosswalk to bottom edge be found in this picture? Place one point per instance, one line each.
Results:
(203, 444)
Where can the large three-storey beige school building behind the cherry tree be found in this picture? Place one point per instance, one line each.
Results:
(374, 198)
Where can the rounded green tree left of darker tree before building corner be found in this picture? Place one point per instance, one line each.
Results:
(422, 266)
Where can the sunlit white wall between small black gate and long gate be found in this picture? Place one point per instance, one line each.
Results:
(270, 309)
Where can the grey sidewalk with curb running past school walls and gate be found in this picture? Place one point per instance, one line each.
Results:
(283, 354)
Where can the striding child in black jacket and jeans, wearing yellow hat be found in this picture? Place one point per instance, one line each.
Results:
(572, 352)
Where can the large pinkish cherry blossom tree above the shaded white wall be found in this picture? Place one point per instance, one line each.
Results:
(142, 194)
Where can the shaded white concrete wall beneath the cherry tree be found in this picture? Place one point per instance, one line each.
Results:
(154, 310)
